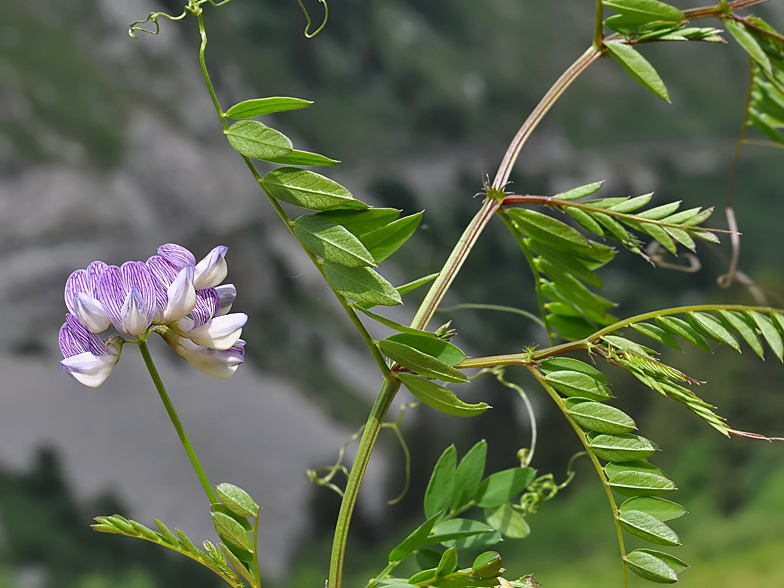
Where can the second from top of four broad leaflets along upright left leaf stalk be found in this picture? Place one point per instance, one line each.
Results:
(308, 189)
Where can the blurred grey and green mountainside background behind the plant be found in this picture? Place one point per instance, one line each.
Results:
(109, 147)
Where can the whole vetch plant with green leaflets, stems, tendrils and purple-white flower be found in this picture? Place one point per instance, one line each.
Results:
(563, 238)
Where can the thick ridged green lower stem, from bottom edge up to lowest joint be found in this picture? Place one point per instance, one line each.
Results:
(366, 443)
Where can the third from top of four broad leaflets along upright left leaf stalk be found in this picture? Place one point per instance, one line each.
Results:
(331, 241)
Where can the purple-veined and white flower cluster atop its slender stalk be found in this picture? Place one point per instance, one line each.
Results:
(169, 294)
